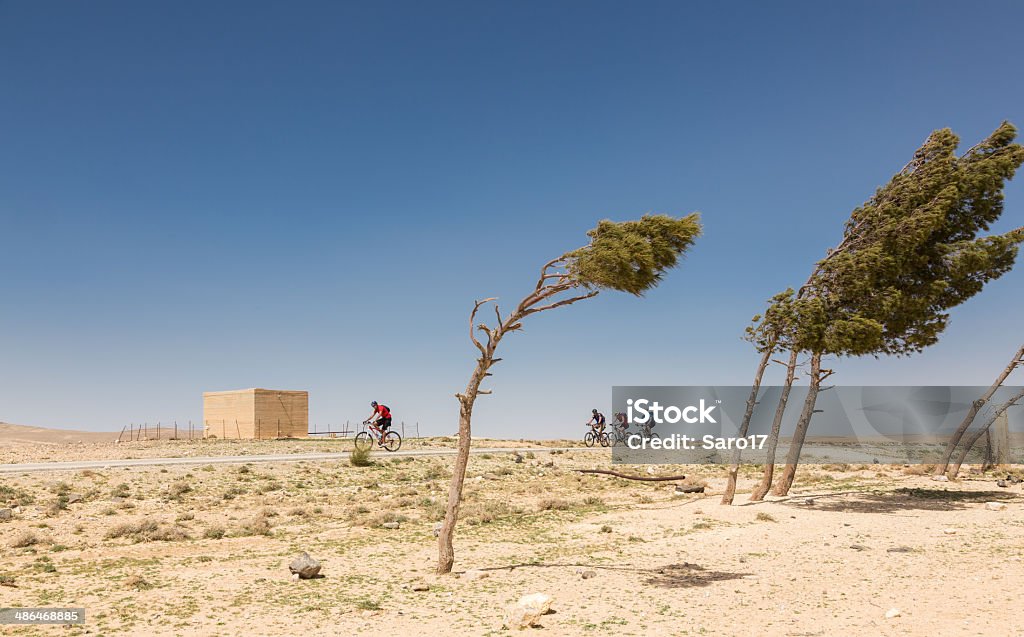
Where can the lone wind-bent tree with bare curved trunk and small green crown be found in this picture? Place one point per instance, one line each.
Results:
(629, 257)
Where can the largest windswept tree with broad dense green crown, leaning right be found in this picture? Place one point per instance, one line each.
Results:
(908, 257)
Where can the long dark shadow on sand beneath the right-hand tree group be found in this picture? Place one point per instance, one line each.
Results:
(905, 499)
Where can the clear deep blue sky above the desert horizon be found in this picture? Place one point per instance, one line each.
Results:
(310, 196)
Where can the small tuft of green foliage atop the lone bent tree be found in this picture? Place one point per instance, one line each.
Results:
(632, 257)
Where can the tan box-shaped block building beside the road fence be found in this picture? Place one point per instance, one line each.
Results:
(257, 414)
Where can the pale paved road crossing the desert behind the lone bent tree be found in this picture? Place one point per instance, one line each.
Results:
(214, 460)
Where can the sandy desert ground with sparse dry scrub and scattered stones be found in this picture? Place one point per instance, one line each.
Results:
(204, 550)
